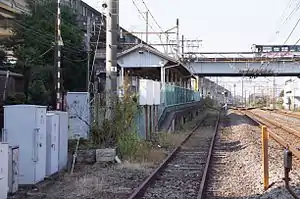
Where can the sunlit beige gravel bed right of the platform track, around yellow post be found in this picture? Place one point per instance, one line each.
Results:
(236, 165)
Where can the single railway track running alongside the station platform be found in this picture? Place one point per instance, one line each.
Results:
(183, 173)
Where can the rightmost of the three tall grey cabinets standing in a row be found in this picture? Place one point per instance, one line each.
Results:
(62, 138)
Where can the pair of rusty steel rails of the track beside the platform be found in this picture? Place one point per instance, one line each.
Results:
(139, 192)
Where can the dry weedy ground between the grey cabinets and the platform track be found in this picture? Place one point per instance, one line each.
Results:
(100, 182)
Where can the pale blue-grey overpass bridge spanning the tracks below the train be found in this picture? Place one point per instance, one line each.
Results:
(245, 64)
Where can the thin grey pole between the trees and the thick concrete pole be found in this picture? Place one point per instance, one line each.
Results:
(88, 49)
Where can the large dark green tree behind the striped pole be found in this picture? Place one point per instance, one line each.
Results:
(33, 45)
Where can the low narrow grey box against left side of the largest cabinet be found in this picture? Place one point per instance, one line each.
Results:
(13, 171)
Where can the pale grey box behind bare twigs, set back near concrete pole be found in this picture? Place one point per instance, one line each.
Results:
(78, 104)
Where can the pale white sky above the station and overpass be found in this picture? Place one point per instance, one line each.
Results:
(231, 25)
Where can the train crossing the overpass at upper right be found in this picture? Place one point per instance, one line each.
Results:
(276, 51)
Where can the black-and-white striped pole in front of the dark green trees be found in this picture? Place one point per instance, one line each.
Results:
(59, 43)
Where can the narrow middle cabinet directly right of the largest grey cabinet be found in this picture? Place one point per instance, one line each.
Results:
(52, 143)
